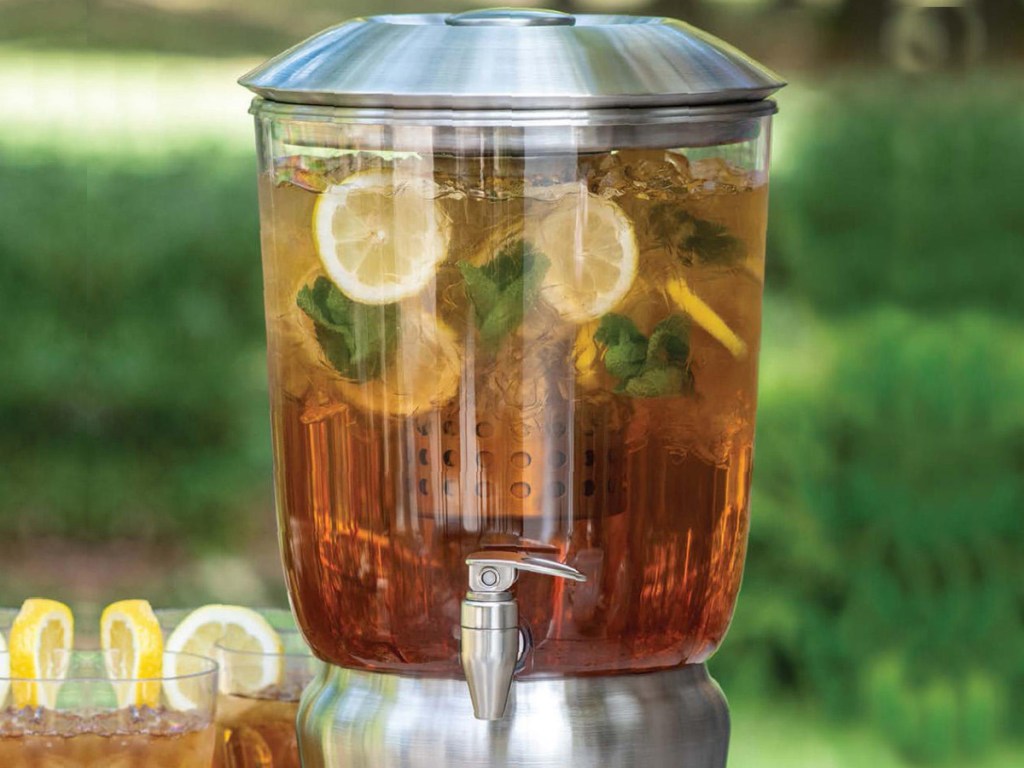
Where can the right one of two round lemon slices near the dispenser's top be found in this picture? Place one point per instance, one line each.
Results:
(592, 247)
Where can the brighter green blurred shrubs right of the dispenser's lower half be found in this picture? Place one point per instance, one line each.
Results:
(884, 571)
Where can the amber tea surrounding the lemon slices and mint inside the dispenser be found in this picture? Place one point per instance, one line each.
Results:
(648, 497)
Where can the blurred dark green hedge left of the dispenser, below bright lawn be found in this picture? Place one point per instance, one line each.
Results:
(134, 401)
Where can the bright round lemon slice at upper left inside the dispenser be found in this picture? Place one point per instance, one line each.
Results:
(380, 235)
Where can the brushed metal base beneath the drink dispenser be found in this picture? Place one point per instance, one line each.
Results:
(673, 719)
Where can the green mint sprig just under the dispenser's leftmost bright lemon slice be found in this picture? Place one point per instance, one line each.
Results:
(359, 340)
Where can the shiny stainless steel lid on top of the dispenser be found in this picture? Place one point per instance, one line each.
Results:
(513, 59)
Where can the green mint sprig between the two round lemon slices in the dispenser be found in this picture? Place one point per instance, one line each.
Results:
(503, 289)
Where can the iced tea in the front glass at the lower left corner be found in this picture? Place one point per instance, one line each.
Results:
(70, 742)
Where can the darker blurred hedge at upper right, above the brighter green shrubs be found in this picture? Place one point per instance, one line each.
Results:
(906, 192)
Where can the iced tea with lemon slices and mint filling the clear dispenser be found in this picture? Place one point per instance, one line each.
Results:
(598, 409)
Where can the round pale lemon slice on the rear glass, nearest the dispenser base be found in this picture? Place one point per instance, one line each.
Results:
(240, 628)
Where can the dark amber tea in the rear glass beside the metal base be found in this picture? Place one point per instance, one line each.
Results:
(257, 733)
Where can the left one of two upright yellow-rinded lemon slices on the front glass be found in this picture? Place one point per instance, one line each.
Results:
(40, 641)
